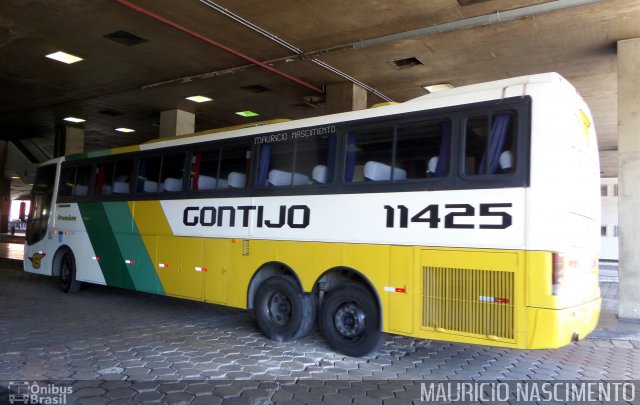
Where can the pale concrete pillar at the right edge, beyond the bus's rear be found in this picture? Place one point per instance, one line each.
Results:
(629, 177)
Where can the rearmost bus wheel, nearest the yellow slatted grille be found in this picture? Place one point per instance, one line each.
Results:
(350, 320)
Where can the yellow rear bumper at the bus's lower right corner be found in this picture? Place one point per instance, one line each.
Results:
(551, 328)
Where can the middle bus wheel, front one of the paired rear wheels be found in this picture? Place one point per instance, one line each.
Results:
(282, 311)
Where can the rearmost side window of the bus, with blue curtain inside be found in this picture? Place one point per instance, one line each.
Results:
(489, 144)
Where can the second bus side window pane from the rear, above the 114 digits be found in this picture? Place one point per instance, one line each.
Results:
(422, 149)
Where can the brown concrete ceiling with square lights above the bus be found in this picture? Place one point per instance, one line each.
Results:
(129, 85)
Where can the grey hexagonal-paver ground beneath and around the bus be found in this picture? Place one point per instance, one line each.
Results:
(116, 346)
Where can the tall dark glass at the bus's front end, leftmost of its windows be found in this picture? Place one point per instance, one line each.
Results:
(40, 204)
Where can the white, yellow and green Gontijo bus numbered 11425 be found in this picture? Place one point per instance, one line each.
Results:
(470, 215)
